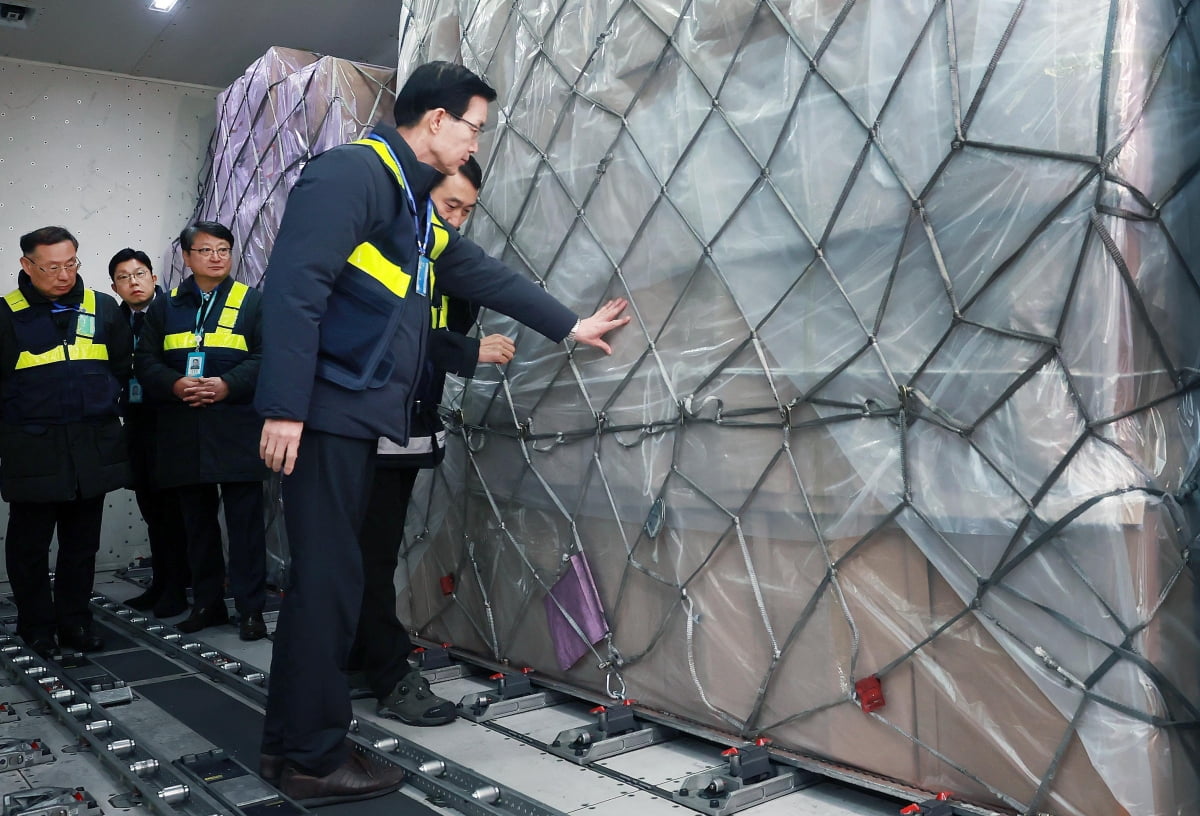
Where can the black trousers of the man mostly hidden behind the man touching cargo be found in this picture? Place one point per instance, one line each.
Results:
(382, 645)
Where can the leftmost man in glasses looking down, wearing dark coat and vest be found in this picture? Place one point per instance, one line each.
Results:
(64, 359)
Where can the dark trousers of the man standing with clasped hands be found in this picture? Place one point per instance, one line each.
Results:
(248, 543)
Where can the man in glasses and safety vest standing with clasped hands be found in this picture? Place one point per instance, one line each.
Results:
(197, 364)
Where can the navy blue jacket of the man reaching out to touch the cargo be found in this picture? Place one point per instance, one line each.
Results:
(344, 199)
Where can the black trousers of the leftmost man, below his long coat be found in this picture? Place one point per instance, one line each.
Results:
(27, 554)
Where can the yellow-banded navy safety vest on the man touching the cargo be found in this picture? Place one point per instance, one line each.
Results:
(370, 298)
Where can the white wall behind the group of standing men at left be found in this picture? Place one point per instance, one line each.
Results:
(115, 160)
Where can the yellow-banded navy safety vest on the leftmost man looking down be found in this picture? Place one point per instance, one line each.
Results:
(62, 374)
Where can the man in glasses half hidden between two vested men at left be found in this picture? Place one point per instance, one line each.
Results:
(137, 286)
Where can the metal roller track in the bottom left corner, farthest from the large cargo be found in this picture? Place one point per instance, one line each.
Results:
(161, 789)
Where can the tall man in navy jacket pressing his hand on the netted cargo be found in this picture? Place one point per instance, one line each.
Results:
(346, 316)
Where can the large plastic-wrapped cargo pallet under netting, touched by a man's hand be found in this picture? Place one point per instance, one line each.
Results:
(910, 394)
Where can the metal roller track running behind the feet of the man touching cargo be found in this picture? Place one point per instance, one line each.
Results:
(455, 785)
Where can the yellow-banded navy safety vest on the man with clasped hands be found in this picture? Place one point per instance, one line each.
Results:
(221, 334)
